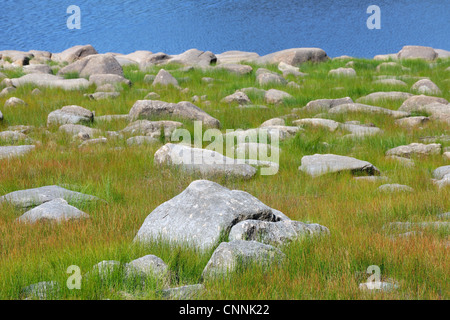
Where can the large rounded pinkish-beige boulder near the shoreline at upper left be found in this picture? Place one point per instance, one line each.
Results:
(93, 64)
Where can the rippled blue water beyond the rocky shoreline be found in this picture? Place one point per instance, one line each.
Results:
(262, 26)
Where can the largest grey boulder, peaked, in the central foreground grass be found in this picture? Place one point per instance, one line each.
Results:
(201, 214)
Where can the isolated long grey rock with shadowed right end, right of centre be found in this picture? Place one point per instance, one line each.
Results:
(319, 164)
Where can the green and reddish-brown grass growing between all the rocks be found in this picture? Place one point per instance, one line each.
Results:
(326, 268)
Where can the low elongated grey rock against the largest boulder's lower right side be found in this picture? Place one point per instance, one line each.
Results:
(273, 233)
